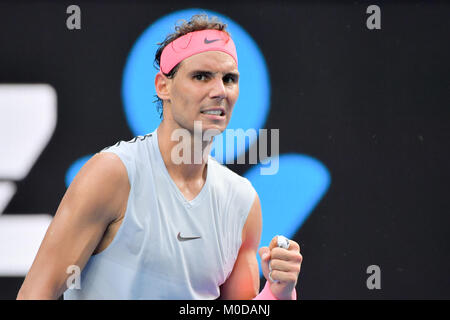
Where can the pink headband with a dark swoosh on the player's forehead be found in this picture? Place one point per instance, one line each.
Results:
(193, 43)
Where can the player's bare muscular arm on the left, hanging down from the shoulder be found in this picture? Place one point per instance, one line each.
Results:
(96, 198)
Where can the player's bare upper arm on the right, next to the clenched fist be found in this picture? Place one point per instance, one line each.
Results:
(243, 282)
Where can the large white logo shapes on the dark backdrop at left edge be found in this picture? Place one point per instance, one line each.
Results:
(27, 122)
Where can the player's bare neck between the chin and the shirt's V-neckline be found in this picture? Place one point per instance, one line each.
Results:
(184, 147)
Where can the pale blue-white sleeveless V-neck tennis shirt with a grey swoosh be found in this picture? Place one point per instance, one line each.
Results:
(168, 247)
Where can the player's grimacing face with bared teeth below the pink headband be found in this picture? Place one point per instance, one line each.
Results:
(205, 88)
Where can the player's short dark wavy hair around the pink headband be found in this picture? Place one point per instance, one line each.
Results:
(196, 23)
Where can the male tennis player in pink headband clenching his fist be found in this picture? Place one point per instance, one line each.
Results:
(141, 226)
